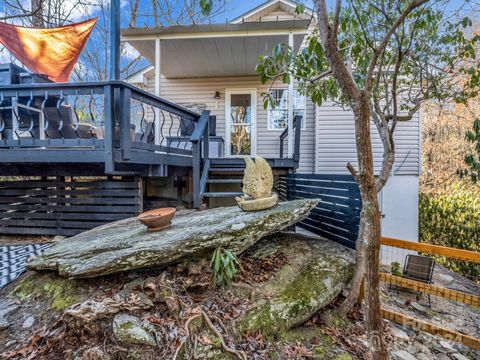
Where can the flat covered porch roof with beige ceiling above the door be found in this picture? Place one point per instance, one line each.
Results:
(209, 50)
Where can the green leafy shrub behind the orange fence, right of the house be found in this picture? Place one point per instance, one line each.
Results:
(452, 219)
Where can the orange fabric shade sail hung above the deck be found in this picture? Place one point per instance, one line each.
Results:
(51, 52)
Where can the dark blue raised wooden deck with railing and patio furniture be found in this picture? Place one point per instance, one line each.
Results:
(109, 128)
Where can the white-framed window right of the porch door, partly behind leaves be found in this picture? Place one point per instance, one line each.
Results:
(278, 116)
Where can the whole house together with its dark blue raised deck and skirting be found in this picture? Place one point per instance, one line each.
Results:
(88, 153)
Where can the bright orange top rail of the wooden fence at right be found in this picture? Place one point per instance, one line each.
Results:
(458, 254)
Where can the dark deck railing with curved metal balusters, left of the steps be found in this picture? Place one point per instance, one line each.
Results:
(112, 101)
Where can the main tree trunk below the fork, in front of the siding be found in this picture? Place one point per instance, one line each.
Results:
(370, 220)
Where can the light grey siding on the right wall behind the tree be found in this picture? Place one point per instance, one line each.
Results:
(335, 143)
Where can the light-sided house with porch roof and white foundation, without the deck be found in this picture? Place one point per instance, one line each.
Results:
(212, 66)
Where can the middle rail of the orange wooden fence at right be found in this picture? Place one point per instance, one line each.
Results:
(449, 294)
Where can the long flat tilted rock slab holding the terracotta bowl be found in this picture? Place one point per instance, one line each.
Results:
(127, 245)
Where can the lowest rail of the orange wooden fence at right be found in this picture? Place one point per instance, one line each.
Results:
(417, 324)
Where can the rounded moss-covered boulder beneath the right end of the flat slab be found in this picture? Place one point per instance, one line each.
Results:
(316, 272)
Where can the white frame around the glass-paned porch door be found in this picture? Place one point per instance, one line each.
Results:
(253, 126)
